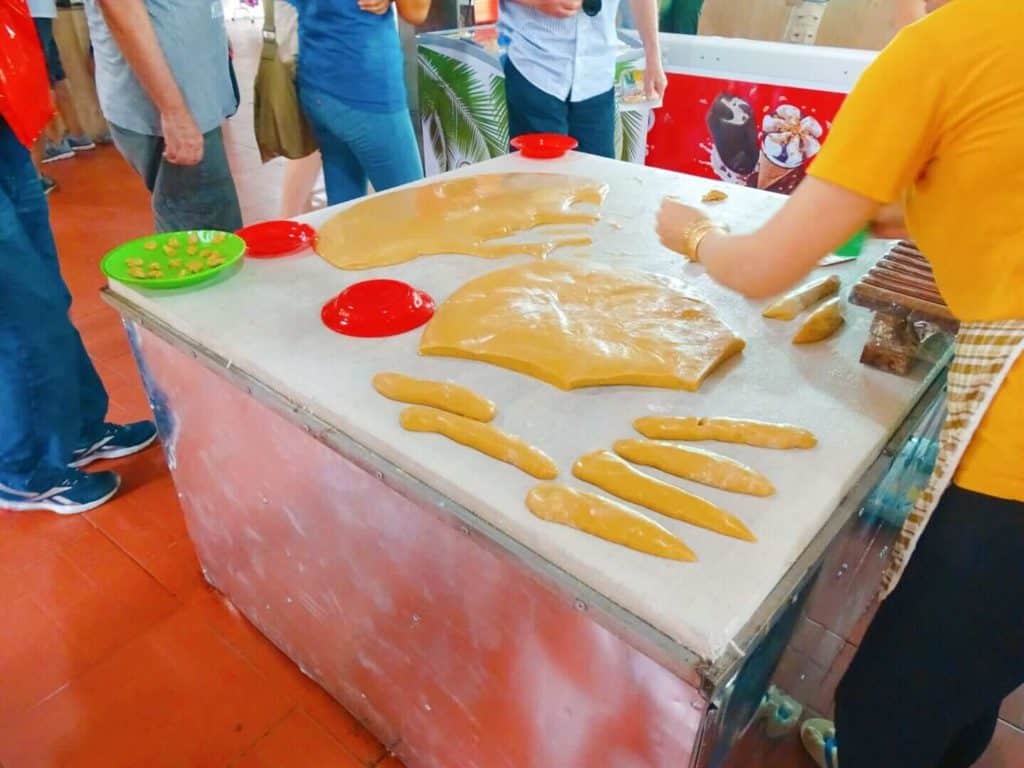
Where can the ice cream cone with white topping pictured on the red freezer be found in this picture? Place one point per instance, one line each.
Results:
(791, 140)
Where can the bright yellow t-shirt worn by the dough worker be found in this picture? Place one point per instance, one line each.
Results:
(938, 120)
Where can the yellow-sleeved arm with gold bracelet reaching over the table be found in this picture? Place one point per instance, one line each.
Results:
(884, 137)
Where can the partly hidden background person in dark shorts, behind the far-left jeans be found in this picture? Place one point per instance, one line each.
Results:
(54, 148)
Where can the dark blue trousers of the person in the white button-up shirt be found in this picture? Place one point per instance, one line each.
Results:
(591, 122)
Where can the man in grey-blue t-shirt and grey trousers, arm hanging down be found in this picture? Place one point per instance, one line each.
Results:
(162, 74)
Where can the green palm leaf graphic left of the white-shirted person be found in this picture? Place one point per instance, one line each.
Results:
(470, 113)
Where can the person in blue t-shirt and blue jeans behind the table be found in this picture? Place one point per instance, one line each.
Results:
(353, 89)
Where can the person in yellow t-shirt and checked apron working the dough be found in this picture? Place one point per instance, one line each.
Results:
(935, 127)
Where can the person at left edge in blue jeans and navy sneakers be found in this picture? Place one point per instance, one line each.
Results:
(53, 404)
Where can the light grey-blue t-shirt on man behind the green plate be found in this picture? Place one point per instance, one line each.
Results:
(194, 41)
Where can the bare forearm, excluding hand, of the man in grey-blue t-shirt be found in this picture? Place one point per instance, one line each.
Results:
(130, 24)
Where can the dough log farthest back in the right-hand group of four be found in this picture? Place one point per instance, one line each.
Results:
(757, 434)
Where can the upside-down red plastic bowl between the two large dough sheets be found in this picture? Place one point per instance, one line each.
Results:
(376, 309)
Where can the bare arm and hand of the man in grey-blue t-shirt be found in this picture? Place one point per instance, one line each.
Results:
(130, 24)
